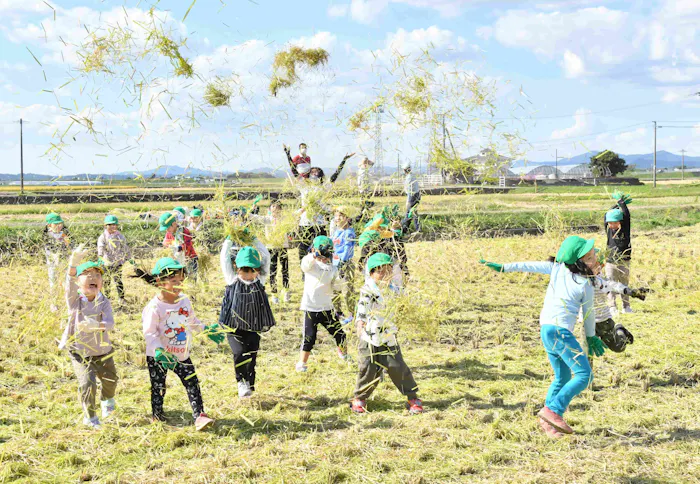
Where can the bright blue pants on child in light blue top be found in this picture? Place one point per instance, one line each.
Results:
(566, 357)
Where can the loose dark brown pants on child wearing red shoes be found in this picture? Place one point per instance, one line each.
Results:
(372, 360)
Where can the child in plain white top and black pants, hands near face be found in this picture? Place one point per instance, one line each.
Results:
(317, 302)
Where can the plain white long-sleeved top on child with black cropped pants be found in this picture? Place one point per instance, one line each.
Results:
(320, 281)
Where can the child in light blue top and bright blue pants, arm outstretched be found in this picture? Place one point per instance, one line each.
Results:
(569, 290)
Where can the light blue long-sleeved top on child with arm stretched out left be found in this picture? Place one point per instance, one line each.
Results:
(567, 294)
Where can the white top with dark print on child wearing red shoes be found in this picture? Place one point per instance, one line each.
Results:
(378, 329)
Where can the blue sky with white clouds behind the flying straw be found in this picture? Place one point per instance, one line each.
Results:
(589, 74)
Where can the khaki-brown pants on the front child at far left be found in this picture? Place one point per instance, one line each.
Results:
(88, 369)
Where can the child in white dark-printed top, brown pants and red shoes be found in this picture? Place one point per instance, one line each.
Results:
(378, 349)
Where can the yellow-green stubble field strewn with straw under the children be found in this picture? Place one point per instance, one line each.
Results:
(482, 376)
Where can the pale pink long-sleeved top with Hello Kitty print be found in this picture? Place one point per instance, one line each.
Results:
(170, 326)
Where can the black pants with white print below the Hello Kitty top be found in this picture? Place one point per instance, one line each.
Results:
(186, 371)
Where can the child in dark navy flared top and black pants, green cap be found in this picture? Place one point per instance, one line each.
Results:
(246, 311)
